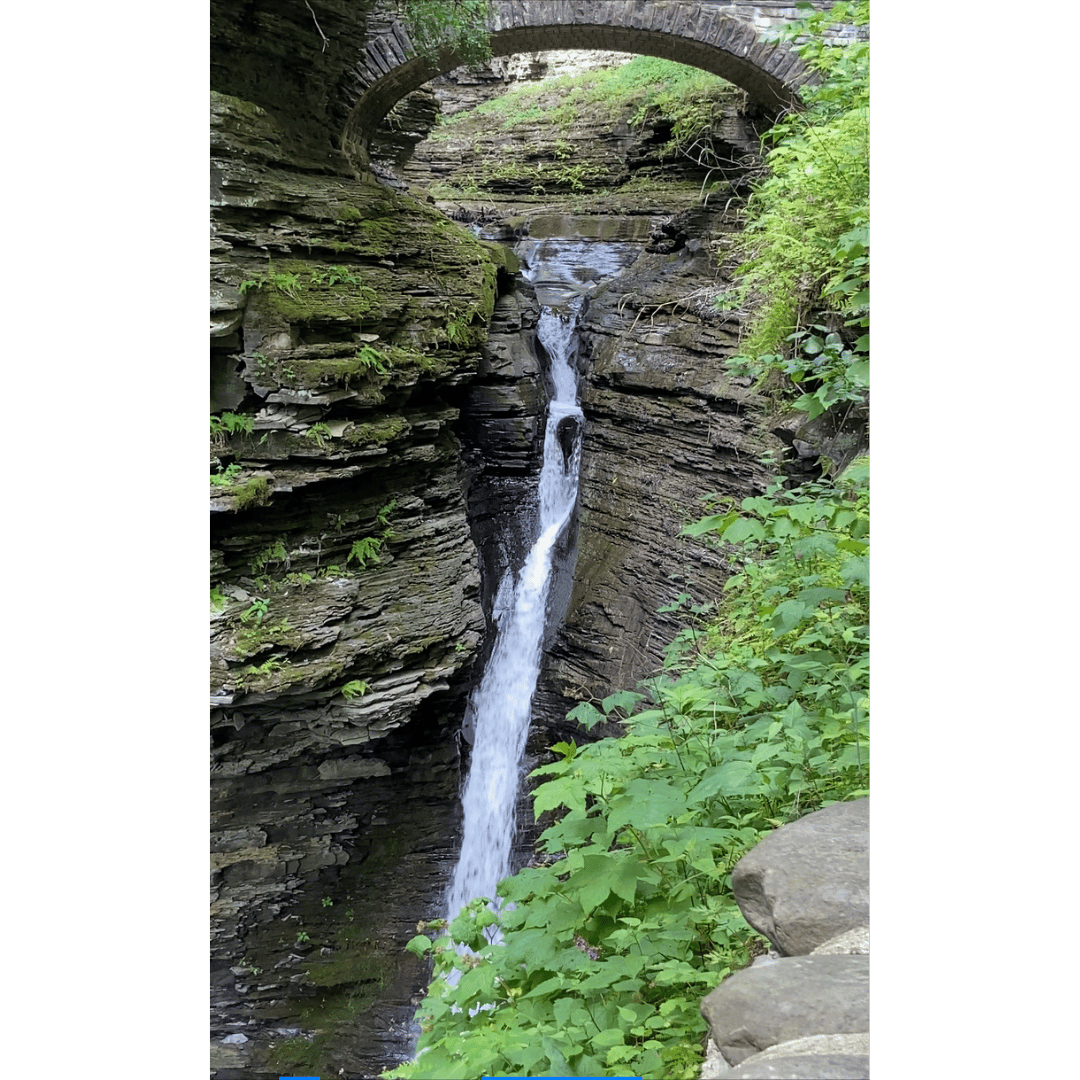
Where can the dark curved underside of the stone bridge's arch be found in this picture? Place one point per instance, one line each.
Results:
(771, 74)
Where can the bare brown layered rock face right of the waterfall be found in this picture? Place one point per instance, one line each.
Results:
(665, 426)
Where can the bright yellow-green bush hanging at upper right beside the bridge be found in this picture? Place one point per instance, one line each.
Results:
(805, 253)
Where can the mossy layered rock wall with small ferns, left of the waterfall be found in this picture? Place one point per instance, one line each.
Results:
(346, 323)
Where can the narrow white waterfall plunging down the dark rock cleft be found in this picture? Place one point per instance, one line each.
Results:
(503, 704)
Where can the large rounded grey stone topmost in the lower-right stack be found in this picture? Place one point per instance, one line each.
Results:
(811, 881)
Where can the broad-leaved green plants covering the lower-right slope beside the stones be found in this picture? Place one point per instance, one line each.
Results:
(626, 920)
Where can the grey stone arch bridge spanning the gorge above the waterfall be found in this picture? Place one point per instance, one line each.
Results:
(730, 39)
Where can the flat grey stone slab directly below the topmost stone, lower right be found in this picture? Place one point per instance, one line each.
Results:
(795, 997)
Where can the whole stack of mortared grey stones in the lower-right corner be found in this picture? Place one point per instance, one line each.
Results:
(803, 1012)
